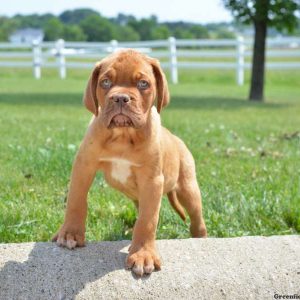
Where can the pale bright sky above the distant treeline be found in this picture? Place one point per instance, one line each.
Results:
(198, 11)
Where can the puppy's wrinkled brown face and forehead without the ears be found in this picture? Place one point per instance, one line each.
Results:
(126, 91)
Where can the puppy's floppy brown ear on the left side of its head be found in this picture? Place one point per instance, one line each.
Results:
(90, 98)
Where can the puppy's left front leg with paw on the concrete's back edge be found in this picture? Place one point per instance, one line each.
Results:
(72, 232)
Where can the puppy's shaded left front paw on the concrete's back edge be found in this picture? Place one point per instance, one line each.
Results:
(70, 236)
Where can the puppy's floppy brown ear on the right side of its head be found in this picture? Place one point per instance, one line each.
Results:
(162, 90)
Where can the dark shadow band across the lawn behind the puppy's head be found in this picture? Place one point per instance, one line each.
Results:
(177, 102)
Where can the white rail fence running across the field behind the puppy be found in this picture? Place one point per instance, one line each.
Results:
(174, 54)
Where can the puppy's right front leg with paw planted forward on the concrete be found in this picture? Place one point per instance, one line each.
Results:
(143, 257)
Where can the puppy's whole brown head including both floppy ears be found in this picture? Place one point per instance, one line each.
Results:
(125, 86)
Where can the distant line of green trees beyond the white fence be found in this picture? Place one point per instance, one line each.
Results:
(89, 25)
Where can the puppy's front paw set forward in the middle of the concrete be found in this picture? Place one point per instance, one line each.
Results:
(143, 261)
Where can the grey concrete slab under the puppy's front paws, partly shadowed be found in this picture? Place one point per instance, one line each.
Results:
(235, 268)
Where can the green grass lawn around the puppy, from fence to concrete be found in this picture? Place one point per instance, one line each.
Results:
(247, 156)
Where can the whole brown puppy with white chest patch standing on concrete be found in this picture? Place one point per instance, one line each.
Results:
(125, 140)
